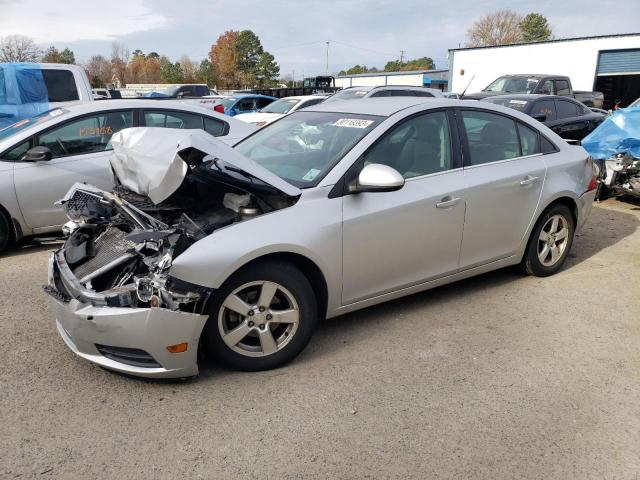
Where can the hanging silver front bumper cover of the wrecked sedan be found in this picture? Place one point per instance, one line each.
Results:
(127, 340)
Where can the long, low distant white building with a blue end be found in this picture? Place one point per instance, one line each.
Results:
(417, 78)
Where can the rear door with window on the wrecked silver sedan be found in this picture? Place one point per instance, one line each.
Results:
(504, 172)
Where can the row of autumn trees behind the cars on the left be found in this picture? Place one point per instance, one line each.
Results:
(236, 60)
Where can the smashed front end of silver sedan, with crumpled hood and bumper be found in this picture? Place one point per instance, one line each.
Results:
(115, 301)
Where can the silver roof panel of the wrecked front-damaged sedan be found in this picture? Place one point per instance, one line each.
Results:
(387, 106)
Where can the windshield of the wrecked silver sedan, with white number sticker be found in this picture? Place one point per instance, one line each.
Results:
(303, 147)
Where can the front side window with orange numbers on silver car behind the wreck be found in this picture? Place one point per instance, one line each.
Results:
(85, 135)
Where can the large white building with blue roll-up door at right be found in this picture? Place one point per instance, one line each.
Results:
(609, 64)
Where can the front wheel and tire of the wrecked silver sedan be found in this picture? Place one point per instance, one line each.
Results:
(258, 341)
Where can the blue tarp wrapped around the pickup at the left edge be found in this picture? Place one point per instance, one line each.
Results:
(23, 92)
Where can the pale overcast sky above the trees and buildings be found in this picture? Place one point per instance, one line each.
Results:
(360, 32)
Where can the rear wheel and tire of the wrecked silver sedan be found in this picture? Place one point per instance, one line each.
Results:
(540, 259)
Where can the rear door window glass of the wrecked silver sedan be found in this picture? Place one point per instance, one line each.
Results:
(490, 137)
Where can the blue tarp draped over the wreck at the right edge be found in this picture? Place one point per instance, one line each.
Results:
(620, 133)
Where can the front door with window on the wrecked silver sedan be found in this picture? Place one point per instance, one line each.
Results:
(397, 239)
